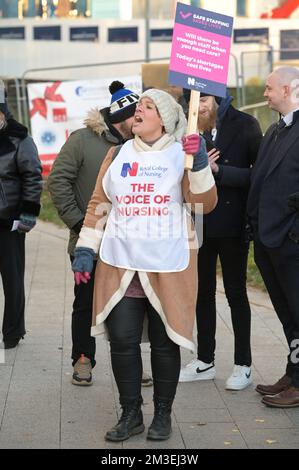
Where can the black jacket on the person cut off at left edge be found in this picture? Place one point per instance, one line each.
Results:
(20, 174)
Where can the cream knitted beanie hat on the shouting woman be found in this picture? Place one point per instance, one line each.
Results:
(171, 112)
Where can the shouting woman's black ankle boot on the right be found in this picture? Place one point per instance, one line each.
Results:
(160, 429)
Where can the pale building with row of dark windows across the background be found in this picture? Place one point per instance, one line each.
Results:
(108, 33)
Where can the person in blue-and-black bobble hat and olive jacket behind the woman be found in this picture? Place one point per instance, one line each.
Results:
(71, 183)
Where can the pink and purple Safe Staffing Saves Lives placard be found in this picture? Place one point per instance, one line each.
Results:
(200, 50)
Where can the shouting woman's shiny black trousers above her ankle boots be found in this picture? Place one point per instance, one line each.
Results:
(125, 326)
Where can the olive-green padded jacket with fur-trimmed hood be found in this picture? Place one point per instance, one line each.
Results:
(75, 170)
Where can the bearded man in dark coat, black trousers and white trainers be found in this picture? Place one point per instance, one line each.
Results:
(233, 140)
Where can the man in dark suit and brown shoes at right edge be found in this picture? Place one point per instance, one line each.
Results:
(275, 222)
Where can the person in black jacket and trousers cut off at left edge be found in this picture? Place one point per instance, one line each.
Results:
(20, 190)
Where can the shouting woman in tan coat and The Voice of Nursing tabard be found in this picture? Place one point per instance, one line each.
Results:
(147, 265)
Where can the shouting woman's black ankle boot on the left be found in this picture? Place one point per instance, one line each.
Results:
(130, 423)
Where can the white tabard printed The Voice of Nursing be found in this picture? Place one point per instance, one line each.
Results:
(147, 228)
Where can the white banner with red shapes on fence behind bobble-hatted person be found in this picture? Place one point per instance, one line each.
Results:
(59, 108)
